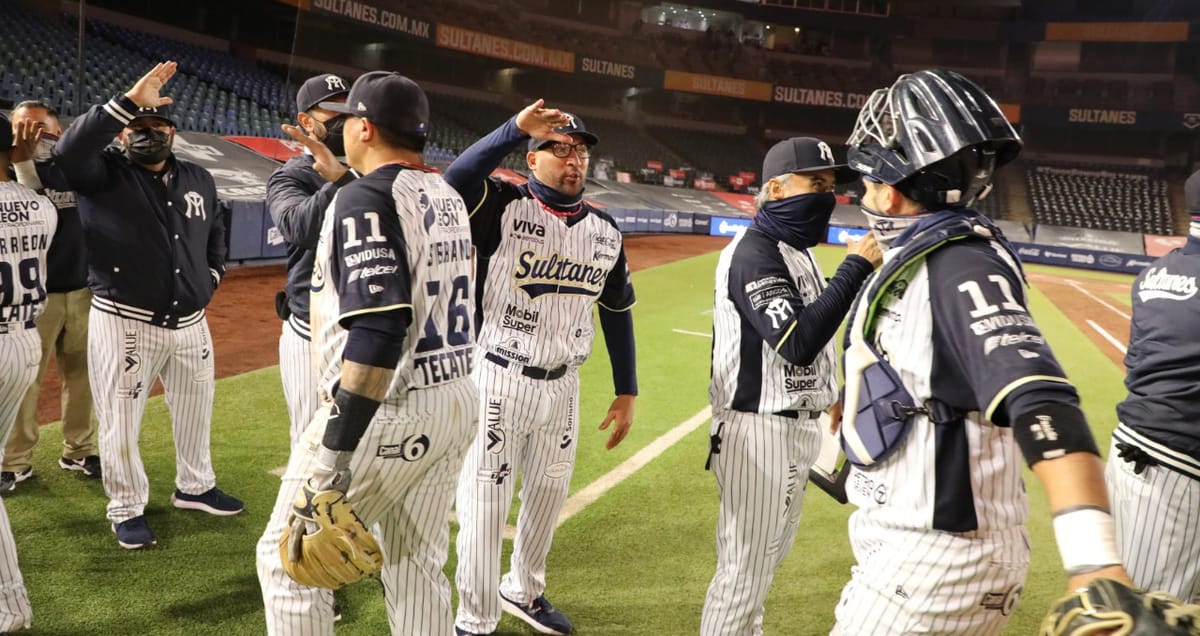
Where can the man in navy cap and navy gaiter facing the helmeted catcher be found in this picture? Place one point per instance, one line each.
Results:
(773, 373)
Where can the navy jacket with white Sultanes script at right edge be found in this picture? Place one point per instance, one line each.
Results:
(1163, 379)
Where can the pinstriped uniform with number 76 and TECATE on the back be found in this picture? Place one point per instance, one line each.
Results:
(397, 238)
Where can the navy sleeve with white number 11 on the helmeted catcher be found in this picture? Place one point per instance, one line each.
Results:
(983, 333)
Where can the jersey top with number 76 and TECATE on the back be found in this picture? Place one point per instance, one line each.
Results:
(398, 238)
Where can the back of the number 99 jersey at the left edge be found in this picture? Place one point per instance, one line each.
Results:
(28, 221)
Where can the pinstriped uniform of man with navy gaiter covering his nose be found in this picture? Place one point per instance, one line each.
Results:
(765, 417)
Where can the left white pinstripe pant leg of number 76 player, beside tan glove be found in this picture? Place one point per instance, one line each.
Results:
(292, 609)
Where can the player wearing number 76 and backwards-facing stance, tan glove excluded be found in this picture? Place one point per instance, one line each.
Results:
(392, 314)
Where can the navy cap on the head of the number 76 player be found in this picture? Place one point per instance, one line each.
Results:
(389, 100)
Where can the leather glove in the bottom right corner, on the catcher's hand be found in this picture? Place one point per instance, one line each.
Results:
(1109, 608)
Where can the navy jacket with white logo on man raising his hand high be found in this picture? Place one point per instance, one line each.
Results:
(155, 242)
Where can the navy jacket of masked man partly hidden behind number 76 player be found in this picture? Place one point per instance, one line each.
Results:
(297, 199)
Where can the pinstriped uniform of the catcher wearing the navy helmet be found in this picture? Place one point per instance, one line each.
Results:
(939, 536)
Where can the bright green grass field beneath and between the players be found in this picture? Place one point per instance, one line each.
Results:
(637, 562)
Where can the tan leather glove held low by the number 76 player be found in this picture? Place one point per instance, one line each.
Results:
(325, 544)
